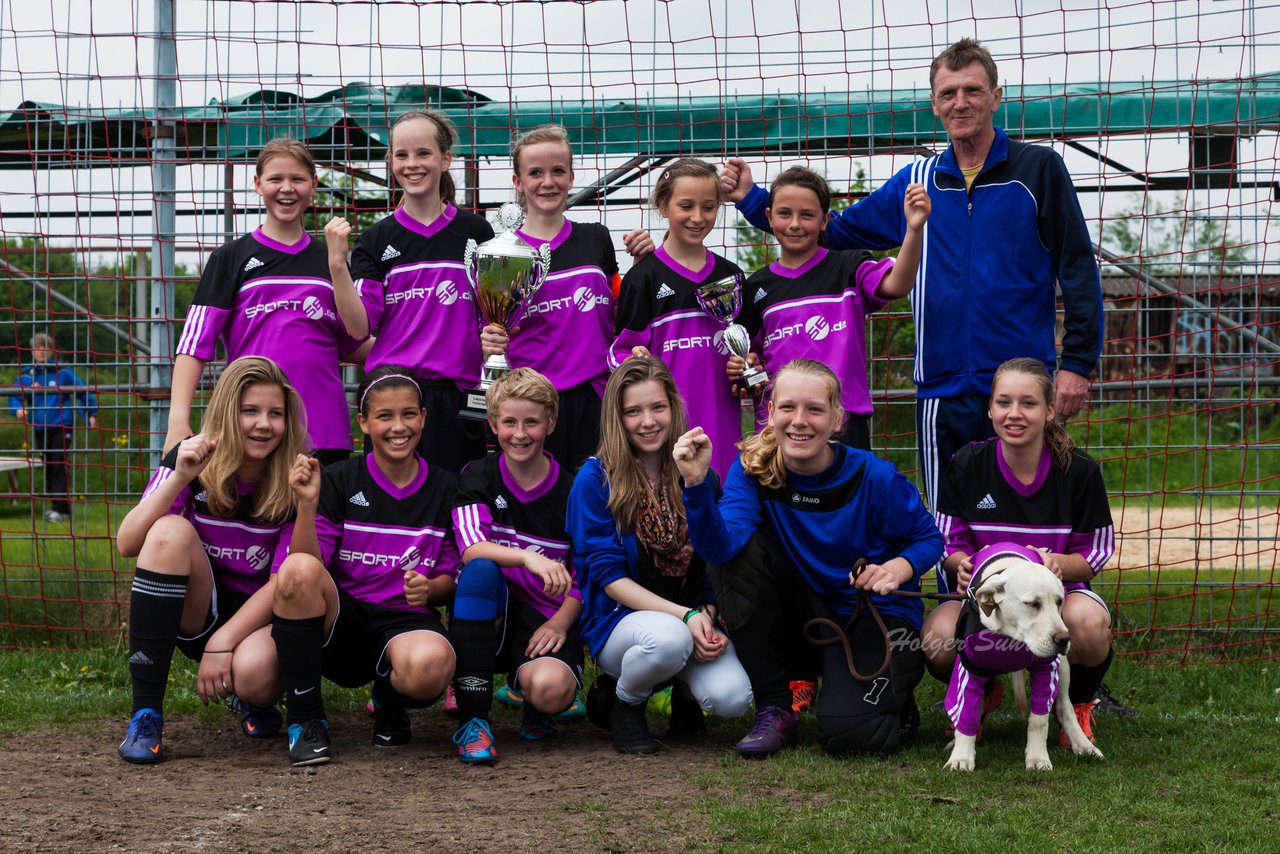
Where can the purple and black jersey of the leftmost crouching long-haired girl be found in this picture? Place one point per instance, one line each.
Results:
(243, 552)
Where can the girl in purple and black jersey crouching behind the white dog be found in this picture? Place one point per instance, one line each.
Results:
(1034, 487)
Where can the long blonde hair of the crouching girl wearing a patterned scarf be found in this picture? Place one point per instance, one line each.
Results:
(628, 483)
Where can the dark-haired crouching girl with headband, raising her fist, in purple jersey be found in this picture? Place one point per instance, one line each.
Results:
(372, 560)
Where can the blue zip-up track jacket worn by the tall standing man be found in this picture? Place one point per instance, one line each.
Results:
(990, 262)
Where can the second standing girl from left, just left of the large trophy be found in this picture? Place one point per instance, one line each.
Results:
(409, 273)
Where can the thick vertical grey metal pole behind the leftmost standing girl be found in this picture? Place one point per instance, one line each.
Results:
(164, 189)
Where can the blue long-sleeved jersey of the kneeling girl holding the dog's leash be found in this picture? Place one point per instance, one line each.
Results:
(861, 506)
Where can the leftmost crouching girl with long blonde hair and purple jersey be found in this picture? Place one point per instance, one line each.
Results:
(209, 535)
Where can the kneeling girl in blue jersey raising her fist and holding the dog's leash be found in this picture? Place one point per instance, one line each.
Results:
(798, 513)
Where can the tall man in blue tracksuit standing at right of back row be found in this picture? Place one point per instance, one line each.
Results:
(1005, 229)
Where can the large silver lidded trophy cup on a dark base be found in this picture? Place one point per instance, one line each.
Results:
(504, 273)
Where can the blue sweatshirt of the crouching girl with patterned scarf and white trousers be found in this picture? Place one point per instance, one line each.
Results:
(605, 554)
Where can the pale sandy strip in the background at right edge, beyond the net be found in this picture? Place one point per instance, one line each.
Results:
(1186, 537)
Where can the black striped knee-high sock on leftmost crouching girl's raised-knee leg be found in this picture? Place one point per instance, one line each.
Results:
(156, 615)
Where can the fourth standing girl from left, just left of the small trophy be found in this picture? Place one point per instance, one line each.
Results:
(659, 310)
